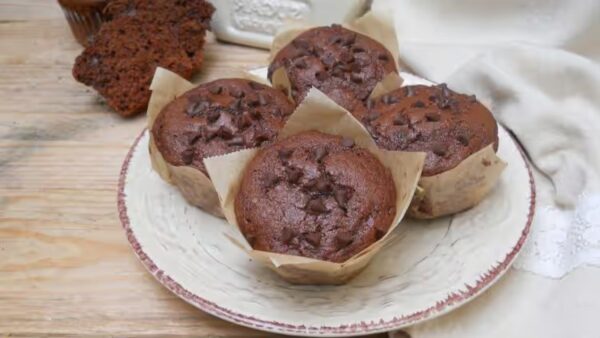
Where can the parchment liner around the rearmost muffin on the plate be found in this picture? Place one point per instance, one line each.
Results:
(377, 26)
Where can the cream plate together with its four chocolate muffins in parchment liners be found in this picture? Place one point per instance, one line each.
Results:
(328, 194)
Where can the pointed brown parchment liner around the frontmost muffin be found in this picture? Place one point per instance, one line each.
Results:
(317, 112)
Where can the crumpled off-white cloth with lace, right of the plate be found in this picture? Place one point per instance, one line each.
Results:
(535, 62)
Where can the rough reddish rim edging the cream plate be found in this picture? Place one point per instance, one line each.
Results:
(357, 328)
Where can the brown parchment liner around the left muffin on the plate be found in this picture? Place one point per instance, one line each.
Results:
(193, 184)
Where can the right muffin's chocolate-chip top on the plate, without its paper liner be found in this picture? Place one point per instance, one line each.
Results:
(446, 125)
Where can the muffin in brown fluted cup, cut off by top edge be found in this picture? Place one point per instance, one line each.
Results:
(84, 17)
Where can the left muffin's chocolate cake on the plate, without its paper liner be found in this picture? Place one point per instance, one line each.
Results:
(219, 117)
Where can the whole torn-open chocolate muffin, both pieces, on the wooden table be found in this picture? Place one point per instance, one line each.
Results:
(120, 61)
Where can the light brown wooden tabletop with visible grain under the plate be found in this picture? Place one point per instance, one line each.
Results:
(66, 268)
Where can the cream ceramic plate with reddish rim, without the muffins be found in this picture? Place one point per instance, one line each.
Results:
(428, 269)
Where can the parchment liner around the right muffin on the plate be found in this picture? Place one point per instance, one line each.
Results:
(457, 189)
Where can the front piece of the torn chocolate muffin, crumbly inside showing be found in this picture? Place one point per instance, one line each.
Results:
(121, 60)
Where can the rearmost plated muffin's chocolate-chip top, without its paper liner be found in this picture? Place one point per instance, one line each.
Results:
(334, 58)
